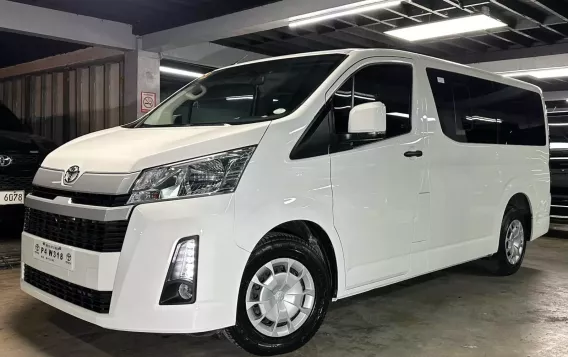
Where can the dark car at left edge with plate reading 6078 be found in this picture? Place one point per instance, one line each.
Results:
(21, 154)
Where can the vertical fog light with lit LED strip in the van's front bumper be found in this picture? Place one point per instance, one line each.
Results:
(179, 287)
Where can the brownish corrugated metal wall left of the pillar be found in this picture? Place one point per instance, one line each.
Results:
(63, 105)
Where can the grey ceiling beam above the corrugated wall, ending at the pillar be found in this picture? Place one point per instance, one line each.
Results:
(64, 26)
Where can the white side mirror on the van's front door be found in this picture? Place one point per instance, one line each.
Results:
(369, 118)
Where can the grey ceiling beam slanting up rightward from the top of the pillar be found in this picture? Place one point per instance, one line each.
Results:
(240, 23)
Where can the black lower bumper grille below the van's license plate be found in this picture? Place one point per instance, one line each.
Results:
(97, 301)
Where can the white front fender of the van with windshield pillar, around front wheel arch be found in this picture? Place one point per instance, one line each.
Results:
(275, 189)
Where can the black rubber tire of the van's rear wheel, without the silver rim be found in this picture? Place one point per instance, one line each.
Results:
(502, 266)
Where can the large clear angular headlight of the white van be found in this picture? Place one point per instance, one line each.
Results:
(207, 175)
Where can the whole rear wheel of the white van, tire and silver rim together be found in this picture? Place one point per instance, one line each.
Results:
(504, 264)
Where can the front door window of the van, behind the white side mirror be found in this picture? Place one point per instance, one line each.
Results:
(389, 83)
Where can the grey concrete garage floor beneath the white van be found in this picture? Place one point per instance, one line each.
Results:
(458, 312)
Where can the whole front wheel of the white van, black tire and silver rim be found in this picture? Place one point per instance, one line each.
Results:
(276, 250)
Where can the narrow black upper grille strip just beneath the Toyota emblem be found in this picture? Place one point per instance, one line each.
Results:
(91, 199)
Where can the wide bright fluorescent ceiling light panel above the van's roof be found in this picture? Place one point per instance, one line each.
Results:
(446, 28)
